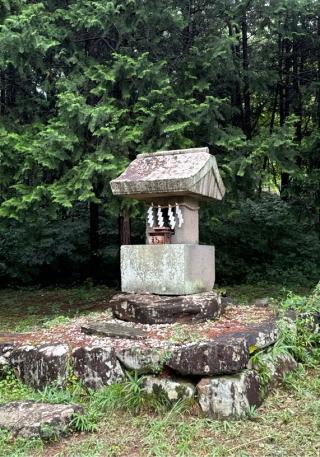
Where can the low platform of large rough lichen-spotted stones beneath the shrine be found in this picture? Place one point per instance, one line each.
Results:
(210, 364)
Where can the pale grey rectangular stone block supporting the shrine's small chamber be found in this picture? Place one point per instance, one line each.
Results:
(167, 269)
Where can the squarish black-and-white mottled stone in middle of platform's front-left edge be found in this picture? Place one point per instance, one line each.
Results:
(97, 366)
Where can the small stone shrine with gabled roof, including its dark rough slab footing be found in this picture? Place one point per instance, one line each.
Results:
(172, 262)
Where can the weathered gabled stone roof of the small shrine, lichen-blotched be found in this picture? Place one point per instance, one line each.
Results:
(192, 172)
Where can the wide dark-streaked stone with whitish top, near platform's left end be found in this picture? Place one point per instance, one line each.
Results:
(39, 366)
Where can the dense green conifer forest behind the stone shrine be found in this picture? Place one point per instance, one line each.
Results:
(87, 85)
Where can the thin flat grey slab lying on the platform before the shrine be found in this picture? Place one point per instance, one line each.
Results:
(113, 330)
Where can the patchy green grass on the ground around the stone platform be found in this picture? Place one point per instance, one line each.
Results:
(123, 424)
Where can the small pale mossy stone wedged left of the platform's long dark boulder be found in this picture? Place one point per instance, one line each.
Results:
(143, 360)
